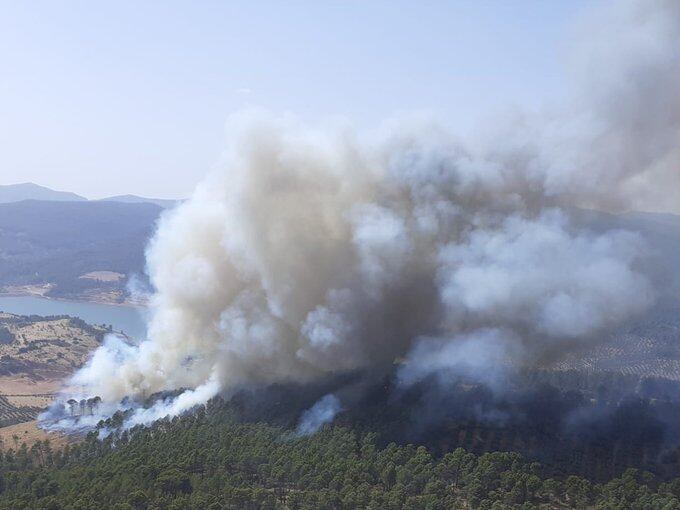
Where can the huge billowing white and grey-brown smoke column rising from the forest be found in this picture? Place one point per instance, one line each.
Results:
(314, 252)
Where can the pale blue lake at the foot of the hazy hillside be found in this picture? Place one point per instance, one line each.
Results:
(127, 319)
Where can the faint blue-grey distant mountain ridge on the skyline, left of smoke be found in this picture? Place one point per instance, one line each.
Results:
(10, 193)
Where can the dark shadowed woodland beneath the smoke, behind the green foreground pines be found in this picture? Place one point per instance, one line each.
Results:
(589, 428)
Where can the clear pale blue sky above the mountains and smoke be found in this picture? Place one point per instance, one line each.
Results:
(131, 96)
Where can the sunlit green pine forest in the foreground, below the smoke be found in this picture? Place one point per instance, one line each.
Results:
(211, 460)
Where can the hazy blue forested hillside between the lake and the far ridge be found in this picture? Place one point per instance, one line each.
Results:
(58, 242)
